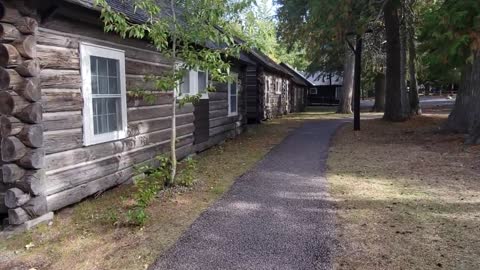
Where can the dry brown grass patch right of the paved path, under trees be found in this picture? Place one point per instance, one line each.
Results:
(407, 196)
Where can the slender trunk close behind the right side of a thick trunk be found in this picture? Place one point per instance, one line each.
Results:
(412, 55)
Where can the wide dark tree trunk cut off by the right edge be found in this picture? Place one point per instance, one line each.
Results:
(465, 116)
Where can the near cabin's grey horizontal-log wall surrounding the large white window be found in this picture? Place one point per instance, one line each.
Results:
(94, 168)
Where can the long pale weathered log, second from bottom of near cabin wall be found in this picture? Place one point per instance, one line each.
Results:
(84, 172)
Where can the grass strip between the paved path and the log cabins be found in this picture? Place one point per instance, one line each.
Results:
(84, 237)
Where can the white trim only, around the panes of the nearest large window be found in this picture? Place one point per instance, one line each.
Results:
(87, 50)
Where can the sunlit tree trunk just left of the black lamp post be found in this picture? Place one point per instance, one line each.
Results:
(346, 95)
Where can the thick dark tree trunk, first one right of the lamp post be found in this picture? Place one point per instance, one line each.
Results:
(393, 94)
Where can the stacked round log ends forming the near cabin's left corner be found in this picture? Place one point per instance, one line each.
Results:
(22, 151)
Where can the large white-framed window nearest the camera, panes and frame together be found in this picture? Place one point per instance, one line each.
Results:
(104, 94)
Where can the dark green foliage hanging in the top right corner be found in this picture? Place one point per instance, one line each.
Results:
(450, 36)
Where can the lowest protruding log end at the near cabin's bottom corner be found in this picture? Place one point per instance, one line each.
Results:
(36, 207)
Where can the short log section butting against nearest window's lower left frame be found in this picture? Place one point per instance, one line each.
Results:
(62, 140)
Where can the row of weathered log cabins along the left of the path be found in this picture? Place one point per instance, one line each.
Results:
(69, 128)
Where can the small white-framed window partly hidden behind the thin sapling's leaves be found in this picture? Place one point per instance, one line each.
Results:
(194, 82)
